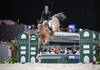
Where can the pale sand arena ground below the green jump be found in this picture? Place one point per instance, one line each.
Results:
(38, 66)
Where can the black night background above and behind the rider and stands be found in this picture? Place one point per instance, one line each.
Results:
(84, 13)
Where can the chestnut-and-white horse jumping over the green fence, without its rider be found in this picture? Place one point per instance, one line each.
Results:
(44, 28)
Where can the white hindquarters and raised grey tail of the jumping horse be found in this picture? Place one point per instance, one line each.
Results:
(54, 23)
